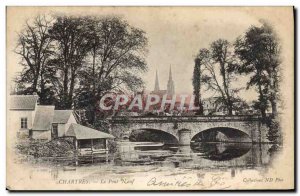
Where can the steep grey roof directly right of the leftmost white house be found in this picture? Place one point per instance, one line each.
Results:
(43, 117)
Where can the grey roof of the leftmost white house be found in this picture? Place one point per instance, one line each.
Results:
(23, 102)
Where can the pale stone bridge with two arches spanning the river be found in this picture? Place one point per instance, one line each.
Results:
(237, 128)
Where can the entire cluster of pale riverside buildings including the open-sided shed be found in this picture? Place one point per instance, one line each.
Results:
(44, 123)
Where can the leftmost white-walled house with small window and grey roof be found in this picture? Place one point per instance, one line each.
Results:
(22, 109)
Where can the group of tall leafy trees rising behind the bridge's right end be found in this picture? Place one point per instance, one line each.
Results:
(255, 54)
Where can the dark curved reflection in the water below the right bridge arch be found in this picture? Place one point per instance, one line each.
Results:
(221, 151)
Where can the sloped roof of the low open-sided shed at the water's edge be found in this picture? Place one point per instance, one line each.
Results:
(82, 132)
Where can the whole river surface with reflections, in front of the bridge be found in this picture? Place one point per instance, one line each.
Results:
(135, 157)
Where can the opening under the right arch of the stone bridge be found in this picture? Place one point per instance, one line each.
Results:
(228, 134)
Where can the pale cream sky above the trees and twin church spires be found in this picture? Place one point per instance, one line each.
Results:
(175, 35)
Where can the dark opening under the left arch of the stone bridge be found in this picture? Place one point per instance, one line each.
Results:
(152, 136)
